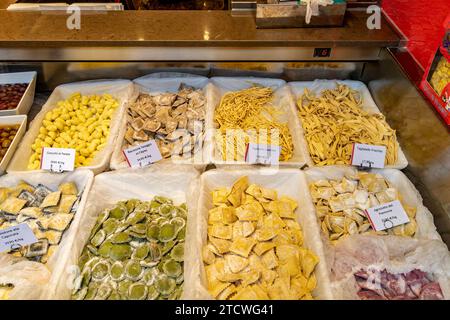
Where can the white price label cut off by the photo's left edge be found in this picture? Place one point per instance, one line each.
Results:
(16, 237)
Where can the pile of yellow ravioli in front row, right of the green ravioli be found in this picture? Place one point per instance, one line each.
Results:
(255, 246)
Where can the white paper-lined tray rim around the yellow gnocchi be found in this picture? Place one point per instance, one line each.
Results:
(119, 89)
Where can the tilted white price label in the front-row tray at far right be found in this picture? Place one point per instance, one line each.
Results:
(387, 215)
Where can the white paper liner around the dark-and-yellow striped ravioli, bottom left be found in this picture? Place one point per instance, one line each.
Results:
(83, 179)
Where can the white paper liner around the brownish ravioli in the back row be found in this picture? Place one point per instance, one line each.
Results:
(155, 85)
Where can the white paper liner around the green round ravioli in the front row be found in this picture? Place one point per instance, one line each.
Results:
(175, 182)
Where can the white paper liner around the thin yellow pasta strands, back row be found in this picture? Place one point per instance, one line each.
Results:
(282, 101)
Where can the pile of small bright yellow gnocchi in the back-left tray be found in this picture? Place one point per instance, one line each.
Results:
(81, 122)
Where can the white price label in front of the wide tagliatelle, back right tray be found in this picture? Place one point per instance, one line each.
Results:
(366, 155)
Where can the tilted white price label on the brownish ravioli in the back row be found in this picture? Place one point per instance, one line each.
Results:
(143, 154)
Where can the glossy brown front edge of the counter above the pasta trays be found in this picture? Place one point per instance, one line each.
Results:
(185, 54)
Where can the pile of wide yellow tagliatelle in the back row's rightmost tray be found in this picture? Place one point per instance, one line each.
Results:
(335, 121)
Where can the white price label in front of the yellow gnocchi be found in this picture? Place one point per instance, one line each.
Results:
(58, 159)
